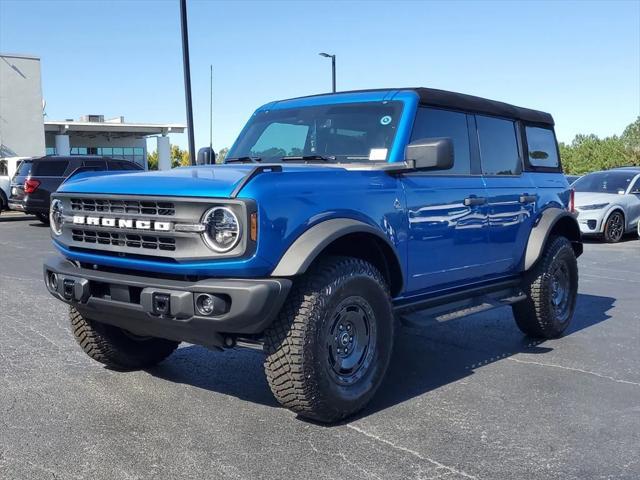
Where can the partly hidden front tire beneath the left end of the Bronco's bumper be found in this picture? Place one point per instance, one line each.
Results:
(116, 348)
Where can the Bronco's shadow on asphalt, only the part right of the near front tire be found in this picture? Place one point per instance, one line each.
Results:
(430, 357)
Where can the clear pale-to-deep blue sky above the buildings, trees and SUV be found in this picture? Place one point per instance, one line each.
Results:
(578, 60)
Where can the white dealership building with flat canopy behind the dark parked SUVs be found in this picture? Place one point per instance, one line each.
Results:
(25, 133)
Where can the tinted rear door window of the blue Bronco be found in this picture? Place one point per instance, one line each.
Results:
(498, 146)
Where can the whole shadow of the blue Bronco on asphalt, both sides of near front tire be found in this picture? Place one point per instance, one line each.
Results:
(424, 359)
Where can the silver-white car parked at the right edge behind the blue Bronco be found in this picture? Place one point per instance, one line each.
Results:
(608, 203)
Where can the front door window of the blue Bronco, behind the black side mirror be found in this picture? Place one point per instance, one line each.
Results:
(433, 123)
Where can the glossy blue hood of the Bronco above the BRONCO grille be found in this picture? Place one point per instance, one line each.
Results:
(203, 181)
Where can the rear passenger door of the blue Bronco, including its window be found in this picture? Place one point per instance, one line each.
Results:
(511, 194)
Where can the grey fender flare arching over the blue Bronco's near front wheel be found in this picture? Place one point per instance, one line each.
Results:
(306, 248)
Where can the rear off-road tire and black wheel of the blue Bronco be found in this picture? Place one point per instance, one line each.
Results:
(537, 316)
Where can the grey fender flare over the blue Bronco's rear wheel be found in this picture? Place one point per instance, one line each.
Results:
(539, 235)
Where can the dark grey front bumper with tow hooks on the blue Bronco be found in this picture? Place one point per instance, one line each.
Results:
(163, 308)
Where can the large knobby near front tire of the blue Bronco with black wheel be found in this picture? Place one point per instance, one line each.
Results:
(298, 342)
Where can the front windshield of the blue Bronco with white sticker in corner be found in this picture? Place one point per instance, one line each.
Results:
(340, 133)
